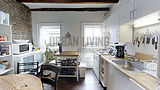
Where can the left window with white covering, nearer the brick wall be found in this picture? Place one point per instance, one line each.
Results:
(50, 35)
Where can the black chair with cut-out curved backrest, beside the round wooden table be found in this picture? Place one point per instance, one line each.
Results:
(49, 80)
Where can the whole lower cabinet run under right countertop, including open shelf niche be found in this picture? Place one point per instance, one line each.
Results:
(113, 79)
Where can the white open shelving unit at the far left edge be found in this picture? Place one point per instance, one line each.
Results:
(6, 30)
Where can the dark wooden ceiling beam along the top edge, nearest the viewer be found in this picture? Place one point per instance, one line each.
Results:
(68, 1)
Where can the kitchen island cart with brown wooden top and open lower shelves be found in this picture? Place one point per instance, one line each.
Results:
(69, 54)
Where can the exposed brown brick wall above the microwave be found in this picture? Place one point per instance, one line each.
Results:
(20, 18)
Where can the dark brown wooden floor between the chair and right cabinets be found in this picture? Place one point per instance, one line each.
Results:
(90, 82)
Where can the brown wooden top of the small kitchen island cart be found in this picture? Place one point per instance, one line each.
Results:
(68, 53)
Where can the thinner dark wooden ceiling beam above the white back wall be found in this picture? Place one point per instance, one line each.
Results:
(71, 9)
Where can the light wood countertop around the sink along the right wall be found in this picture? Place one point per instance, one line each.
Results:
(145, 80)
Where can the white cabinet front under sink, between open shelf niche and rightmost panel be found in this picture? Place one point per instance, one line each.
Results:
(116, 80)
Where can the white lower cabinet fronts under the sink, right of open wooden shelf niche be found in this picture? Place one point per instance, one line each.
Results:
(116, 80)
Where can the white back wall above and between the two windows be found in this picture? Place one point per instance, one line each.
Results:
(71, 22)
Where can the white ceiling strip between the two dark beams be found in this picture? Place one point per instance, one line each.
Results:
(55, 5)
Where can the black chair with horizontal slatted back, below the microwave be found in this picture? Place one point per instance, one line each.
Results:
(30, 68)
